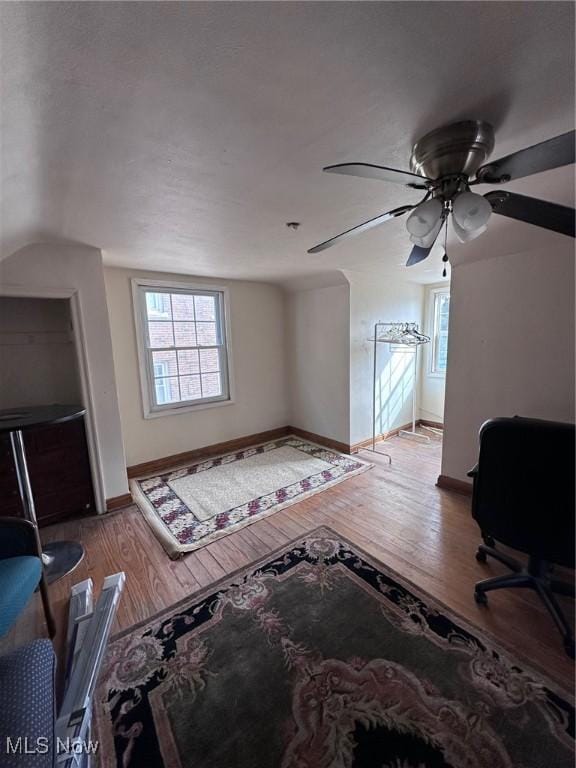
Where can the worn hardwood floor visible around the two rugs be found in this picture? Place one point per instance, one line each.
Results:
(395, 513)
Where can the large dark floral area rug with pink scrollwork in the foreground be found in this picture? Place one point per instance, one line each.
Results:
(319, 657)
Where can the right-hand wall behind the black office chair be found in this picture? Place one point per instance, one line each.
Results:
(510, 348)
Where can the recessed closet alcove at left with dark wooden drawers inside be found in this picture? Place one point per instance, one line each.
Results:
(38, 366)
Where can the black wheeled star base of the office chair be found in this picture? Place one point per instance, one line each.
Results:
(536, 576)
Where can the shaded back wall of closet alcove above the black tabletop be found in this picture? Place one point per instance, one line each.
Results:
(37, 355)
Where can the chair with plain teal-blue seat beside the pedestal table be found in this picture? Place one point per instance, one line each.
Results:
(21, 572)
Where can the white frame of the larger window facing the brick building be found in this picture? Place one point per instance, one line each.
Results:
(140, 287)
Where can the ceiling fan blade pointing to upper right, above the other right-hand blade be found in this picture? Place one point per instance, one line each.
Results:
(541, 157)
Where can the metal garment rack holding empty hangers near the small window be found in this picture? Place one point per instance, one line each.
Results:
(403, 335)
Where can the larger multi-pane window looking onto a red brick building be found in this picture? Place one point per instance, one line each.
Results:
(182, 346)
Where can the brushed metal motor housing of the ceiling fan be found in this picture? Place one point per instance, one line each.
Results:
(456, 149)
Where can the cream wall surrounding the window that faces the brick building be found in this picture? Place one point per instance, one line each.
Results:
(258, 352)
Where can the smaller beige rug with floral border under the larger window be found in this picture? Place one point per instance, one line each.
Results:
(200, 503)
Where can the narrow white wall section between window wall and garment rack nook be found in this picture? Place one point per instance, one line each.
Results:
(319, 361)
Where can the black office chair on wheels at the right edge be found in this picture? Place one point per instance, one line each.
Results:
(524, 497)
